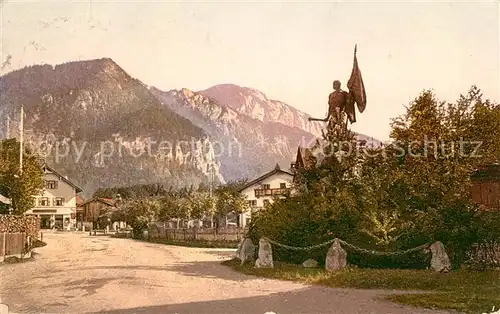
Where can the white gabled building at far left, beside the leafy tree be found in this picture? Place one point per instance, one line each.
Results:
(56, 206)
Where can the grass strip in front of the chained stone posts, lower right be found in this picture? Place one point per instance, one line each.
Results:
(460, 290)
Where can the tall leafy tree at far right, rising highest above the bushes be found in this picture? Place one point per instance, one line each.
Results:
(439, 143)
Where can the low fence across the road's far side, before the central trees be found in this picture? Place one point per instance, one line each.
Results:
(159, 231)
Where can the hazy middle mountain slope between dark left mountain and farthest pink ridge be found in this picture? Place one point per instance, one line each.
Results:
(247, 147)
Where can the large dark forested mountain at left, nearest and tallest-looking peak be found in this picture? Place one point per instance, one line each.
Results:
(101, 127)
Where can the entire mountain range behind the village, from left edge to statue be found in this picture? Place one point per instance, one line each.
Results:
(102, 128)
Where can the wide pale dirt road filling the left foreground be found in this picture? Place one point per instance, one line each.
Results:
(78, 273)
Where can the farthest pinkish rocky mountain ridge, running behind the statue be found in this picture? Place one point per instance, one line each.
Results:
(255, 104)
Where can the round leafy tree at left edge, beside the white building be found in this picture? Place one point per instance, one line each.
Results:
(19, 187)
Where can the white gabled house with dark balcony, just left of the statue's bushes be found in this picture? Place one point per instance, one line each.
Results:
(258, 192)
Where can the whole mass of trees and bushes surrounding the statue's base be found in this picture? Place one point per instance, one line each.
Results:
(412, 191)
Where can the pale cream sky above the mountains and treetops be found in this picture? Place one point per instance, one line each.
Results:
(291, 51)
